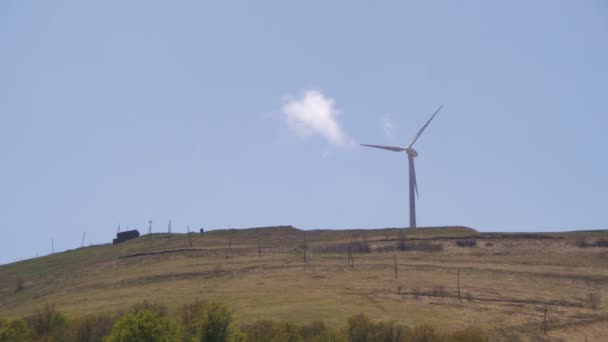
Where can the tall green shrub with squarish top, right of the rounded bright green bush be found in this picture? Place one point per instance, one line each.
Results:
(206, 322)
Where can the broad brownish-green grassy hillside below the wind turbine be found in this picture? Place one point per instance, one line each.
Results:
(505, 279)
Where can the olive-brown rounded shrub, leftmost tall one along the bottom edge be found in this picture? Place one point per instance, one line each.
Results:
(49, 324)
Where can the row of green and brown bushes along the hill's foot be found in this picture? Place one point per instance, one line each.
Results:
(209, 321)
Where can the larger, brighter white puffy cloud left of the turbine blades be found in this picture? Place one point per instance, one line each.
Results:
(315, 114)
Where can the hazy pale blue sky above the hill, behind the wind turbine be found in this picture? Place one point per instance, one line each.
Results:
(117, 112)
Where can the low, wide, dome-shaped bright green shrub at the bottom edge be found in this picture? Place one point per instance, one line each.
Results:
(143, 325)
